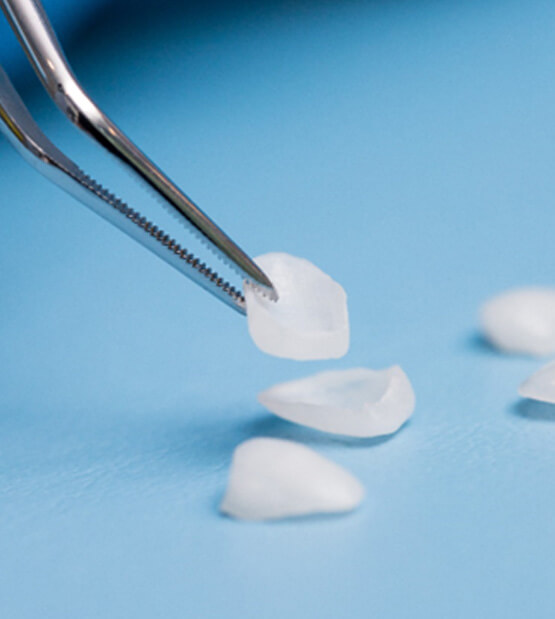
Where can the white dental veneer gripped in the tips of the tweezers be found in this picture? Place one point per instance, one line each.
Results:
(310, 319)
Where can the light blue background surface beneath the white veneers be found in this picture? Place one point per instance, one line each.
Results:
(407, 148)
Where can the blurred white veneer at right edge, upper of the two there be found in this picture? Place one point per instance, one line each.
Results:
(521, 321)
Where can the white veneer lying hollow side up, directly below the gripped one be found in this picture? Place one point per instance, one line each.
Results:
(358, 402)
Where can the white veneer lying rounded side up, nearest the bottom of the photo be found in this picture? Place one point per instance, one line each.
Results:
(272, 478)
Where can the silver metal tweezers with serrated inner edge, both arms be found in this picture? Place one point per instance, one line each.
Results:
(37, 37)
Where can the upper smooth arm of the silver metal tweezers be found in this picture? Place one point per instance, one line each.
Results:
(30, 23)
